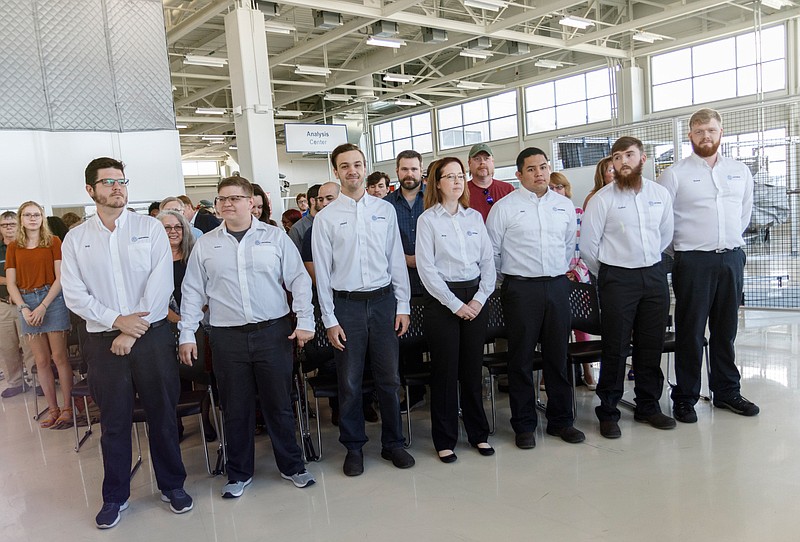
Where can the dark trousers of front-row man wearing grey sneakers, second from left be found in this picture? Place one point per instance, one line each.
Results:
(250, 363)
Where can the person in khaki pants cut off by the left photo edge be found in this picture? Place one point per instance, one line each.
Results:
(10, 359)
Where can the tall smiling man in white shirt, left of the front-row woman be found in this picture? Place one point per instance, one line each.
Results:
(363, 290)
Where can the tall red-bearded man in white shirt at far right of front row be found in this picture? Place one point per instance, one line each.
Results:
(713, 202)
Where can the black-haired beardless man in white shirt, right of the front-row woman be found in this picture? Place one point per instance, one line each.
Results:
(533, 232)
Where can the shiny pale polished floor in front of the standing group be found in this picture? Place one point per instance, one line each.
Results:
(724, 478)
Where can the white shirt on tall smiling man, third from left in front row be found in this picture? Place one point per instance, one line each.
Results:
(357, 248)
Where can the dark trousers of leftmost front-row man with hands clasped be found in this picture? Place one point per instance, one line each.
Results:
(152, 368)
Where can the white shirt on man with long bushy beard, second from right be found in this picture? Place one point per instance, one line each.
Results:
(624, 228)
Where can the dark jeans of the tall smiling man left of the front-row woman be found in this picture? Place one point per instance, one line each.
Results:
(369, 327)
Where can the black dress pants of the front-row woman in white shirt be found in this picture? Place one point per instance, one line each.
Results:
(456, 348)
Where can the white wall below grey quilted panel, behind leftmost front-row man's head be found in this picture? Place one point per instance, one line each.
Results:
(48, 167)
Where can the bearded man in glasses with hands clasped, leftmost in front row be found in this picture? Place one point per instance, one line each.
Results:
(116, 273)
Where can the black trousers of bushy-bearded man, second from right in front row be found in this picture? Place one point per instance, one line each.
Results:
(634, 303)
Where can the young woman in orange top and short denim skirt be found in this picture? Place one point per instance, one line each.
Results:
(33, 272)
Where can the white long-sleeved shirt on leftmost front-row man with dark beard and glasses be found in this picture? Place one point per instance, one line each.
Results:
(106, 274)
